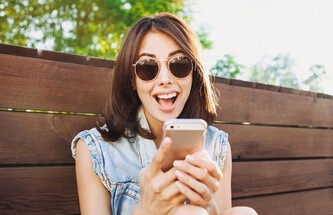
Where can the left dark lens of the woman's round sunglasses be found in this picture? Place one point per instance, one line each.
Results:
(146, 69)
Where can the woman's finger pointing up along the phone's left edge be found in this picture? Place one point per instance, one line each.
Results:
(158, 158)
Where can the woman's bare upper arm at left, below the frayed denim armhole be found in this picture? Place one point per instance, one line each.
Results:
(94, 198)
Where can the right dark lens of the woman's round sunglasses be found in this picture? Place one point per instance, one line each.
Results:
(181, 66)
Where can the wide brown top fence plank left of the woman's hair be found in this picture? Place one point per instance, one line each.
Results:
(50, 85)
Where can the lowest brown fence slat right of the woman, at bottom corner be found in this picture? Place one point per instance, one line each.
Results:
(305, 203)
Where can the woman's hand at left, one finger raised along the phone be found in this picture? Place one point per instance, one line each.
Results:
(158, 192)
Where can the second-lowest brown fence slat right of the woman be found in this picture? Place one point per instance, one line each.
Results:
(268, 177)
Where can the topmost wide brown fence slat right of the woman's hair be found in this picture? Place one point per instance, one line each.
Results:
(243, 104)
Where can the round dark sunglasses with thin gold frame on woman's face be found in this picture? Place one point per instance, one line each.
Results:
(148, 69)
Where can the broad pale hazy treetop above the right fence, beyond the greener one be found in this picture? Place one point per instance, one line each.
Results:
(276, 70)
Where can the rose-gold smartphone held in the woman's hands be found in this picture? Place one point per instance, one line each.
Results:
(187, 135)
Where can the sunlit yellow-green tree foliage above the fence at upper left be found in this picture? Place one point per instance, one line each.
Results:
(92, 28)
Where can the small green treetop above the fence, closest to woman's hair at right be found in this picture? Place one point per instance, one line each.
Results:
(227, 67)
